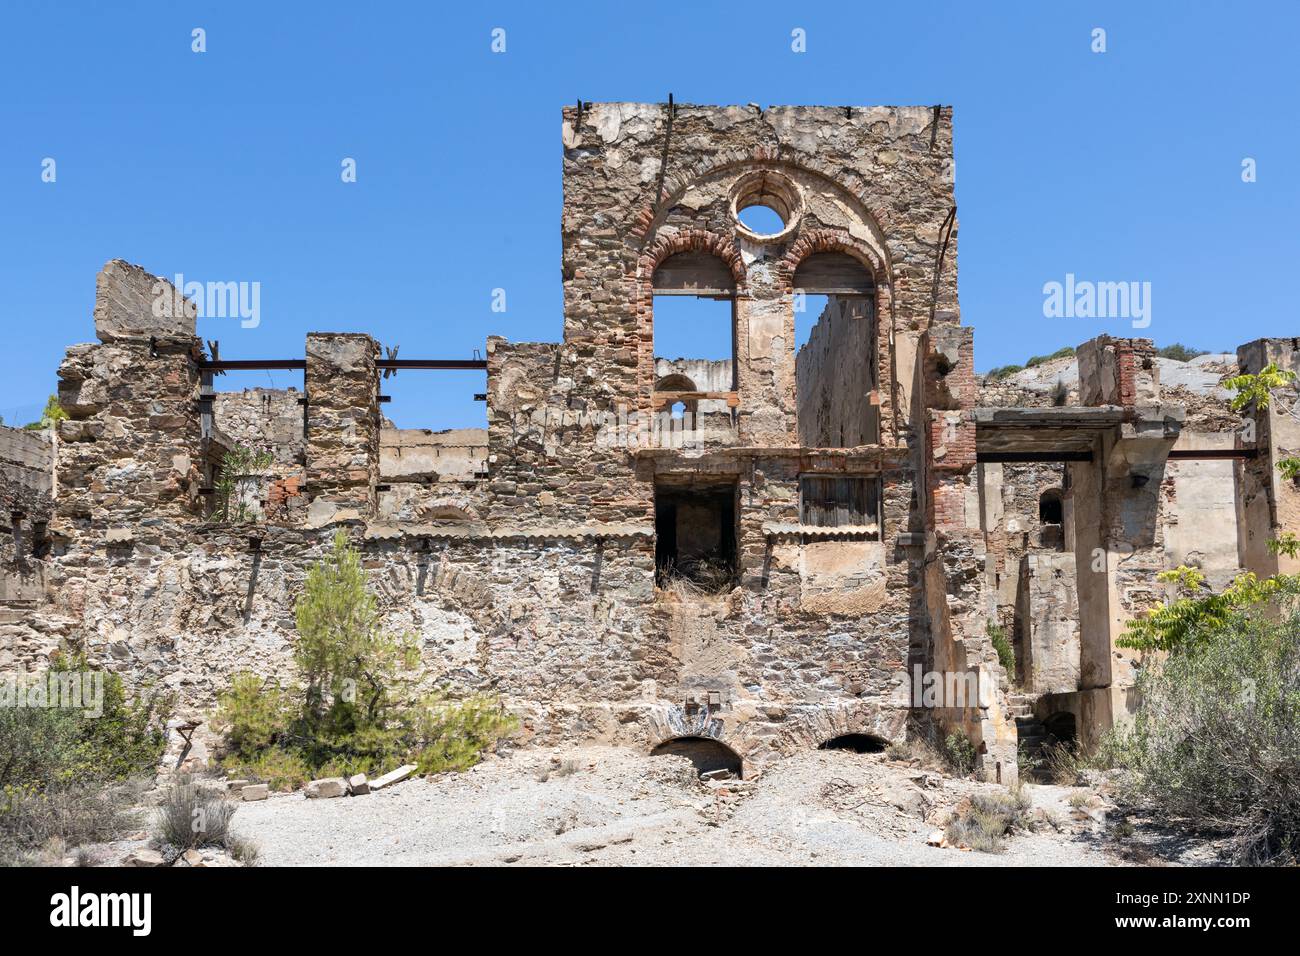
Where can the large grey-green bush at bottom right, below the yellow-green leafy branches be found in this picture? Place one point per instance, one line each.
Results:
(1216, 742)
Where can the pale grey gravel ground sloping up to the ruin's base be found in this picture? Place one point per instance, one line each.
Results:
(617, 807)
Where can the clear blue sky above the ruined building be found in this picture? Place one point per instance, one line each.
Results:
(226, 166)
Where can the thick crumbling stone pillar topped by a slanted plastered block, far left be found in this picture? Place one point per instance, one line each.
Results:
(131, 448)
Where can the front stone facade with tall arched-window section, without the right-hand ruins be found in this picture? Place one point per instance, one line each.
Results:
(539, 581)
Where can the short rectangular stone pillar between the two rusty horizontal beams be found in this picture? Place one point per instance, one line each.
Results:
(343, 426)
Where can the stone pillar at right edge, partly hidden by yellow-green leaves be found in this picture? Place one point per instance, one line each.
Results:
(1268, 504)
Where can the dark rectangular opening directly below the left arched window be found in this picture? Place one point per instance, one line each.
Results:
(696, 535)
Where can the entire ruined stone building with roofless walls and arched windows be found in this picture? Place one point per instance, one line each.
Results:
(734, 559)
